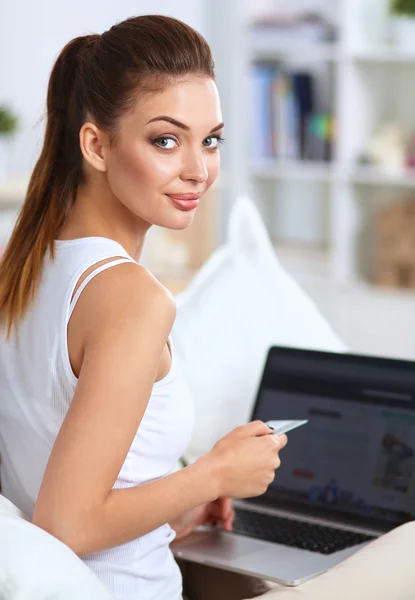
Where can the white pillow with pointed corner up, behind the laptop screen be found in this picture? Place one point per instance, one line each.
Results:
(239, 304)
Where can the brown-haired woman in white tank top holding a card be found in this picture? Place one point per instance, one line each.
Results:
(94, 413)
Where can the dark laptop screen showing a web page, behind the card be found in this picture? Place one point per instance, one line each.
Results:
(354, 460)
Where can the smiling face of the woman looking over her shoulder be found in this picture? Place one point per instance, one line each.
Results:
(167, 153)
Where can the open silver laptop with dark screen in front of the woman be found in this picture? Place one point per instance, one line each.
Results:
(346, 477)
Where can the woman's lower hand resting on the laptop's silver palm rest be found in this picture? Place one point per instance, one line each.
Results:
(219, 512)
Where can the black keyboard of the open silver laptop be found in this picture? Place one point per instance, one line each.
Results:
(299, 534)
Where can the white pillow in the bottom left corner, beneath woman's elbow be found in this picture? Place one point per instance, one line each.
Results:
(35, 565)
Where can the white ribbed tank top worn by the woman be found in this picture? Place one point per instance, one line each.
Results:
(36, 387)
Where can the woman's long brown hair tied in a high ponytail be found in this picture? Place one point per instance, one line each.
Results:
(98, 77)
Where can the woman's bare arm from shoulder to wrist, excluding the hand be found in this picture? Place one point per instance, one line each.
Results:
(126, 317)
